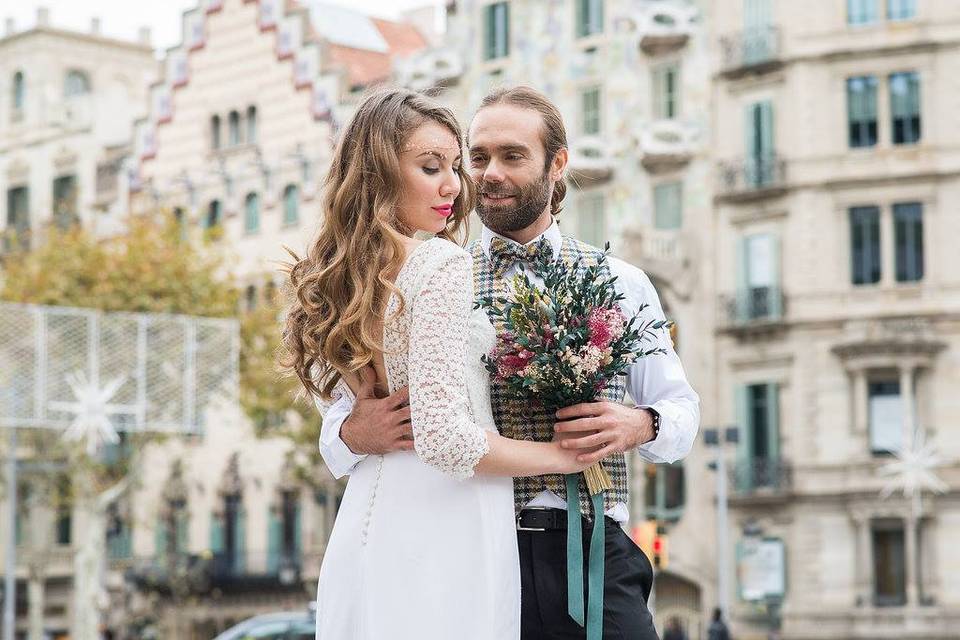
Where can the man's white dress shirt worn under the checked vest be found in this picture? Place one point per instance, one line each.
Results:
(657, 382)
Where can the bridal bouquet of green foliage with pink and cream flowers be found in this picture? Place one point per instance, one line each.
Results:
(561, 344)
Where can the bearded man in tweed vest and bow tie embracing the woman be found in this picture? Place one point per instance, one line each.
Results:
(518, 155)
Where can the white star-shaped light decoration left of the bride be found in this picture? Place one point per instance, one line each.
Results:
(92, 410)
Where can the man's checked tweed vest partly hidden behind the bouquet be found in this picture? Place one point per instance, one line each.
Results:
(518, 420)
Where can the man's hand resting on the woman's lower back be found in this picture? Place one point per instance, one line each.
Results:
(378, 425)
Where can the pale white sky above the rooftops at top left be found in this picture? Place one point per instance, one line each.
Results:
(123, 18)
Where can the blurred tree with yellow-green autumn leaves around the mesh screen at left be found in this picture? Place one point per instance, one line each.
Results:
(152, 268)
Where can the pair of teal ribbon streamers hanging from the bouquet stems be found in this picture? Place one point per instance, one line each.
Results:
(575, 607)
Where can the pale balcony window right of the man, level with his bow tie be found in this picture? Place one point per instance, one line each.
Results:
(759, 296)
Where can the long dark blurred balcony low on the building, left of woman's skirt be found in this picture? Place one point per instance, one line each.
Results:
(226, 572)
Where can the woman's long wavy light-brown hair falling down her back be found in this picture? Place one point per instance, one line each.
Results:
(341, 287)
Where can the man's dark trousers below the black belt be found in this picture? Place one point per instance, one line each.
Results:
(628, 578)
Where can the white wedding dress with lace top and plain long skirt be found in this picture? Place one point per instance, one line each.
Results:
(422, 549)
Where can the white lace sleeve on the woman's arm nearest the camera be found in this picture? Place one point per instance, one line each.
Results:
(445, 434)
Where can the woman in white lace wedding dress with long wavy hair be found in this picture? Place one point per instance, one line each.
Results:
(424, 546)
